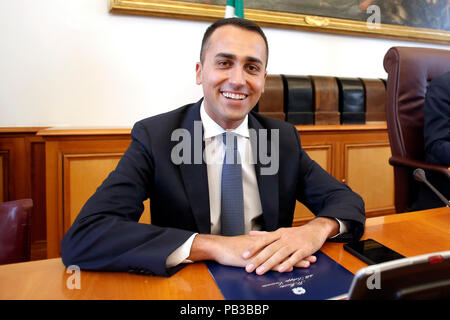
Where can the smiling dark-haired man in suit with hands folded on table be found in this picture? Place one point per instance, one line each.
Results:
(187, 206)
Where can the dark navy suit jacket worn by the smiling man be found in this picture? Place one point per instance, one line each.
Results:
(106, 235)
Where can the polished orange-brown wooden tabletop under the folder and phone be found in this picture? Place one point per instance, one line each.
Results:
(410, 234)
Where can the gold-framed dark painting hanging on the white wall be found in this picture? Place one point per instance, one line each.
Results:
(416, 20)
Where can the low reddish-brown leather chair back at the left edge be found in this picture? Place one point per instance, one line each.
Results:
(15, 231)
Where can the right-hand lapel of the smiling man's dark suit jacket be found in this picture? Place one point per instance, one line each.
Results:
(267, 184)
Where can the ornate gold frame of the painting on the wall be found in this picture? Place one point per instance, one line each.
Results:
(208, 12)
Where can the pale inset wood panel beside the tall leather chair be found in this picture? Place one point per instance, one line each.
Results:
(367, 174)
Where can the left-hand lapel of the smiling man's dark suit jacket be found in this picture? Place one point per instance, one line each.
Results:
(194, 175)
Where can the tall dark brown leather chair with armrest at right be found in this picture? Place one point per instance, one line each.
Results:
(409, 72)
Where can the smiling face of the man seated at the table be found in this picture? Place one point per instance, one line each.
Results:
(232, 74)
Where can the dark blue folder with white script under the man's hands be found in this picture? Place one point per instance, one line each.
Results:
(324, 279)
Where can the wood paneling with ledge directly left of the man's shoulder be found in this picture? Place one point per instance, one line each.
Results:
(96, 151)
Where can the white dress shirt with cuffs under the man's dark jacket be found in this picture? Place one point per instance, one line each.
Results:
(214, 154)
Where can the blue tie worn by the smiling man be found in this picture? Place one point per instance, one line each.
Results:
(232, 202)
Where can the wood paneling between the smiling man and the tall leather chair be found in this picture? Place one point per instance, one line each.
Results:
(358, 157)
